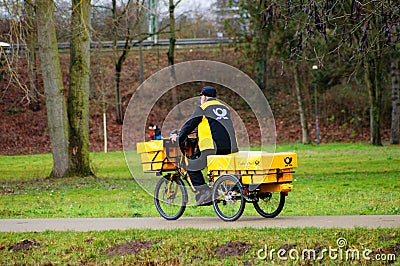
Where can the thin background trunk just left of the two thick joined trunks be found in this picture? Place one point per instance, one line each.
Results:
(31, 41)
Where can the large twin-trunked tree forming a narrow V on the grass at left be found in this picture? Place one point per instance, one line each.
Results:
(69, 128)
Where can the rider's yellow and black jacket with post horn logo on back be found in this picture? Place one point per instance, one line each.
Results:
(215, 128)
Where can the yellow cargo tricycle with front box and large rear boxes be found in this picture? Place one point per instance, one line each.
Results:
(260, 178)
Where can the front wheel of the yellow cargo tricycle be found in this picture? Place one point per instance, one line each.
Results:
(170, 198)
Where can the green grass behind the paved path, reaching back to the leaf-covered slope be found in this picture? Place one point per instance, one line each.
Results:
(332, 179)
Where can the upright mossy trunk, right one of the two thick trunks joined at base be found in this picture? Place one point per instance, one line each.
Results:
(79, 89)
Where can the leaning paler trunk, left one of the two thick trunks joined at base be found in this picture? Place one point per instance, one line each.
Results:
(53, 87)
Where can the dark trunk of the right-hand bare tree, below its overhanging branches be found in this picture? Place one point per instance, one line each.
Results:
(373, 72)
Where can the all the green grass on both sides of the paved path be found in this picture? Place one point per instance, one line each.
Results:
(332, 179)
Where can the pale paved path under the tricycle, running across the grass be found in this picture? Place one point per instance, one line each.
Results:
(98, 224)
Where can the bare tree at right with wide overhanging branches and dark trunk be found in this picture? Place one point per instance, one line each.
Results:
(360, 33)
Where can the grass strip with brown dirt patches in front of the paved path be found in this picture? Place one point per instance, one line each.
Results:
(198, 247)
